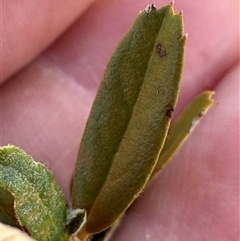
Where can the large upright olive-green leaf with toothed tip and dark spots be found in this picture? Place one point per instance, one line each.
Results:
(130, 117)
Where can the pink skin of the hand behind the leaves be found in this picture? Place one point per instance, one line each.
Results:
(49, 83)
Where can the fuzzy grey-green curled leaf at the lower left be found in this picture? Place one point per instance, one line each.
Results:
(39, 203)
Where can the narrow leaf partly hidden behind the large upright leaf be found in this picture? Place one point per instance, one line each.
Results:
(182, 127)
